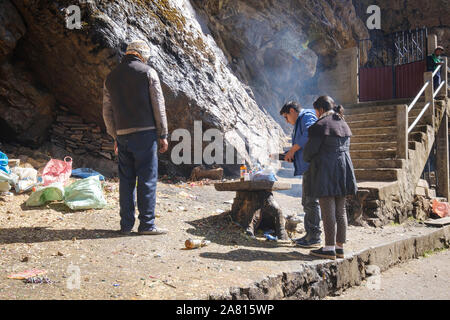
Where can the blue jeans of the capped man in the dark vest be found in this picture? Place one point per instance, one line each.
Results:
(138, 159)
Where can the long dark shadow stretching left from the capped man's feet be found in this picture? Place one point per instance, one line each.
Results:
(42, 234)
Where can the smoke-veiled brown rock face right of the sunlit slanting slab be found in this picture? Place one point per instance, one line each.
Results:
(280, 47)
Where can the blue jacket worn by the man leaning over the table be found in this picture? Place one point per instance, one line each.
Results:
(306, 118)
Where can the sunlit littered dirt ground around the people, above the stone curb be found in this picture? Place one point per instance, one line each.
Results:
(85, 258)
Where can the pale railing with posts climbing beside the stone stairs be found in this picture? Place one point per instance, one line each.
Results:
(403, 130)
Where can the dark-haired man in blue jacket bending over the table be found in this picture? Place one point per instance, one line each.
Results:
(302, 119)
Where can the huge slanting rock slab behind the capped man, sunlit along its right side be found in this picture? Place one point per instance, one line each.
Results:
(72, 65)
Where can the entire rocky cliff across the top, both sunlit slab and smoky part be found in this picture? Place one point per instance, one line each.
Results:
(227, 63)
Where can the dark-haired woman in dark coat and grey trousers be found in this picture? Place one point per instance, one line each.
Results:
(331, 172)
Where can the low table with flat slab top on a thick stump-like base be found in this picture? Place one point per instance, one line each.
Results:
(255, 207)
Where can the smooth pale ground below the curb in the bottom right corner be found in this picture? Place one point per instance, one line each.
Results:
(426, 278)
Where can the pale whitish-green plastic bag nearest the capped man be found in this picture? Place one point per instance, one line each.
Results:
(85, 194)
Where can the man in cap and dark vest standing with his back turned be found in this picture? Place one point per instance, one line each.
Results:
(135, 116)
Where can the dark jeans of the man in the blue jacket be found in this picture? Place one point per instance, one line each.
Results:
(311, 208)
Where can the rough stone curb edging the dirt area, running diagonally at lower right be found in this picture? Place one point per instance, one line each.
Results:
(321, 278)
